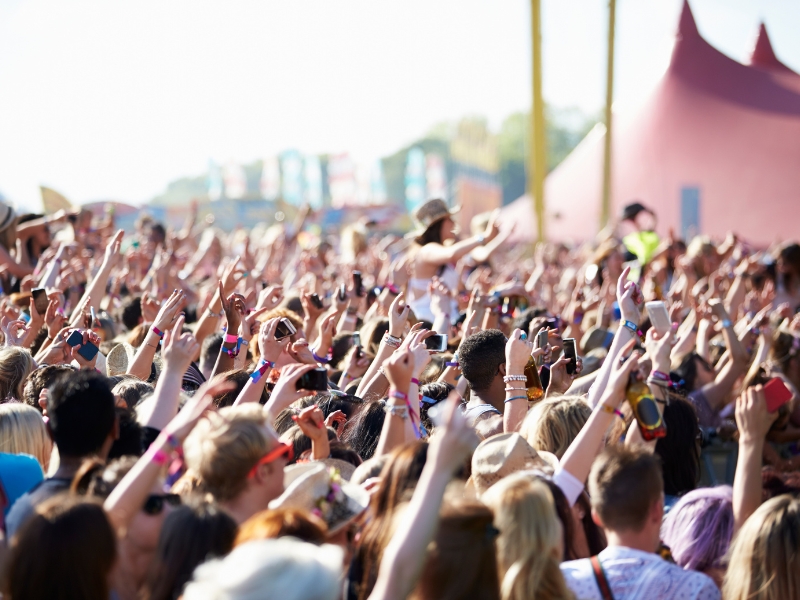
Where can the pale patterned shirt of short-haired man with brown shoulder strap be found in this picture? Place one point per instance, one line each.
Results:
(634, 575)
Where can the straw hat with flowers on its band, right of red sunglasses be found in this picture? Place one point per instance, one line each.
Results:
(321, 490)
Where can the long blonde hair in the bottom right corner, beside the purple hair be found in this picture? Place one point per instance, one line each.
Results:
(765, 556)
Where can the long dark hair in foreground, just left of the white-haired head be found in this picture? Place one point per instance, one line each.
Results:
(191, 534)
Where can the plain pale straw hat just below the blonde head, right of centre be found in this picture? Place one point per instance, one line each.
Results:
(501, 455)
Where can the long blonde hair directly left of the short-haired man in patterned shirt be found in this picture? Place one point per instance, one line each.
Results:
(529, 546)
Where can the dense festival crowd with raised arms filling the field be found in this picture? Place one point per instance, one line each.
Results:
(283, 413)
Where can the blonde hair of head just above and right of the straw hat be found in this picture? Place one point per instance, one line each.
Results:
(553, 424)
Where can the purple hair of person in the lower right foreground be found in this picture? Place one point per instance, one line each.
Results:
(699, 529)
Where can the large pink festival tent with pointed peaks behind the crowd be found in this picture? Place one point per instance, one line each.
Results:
(716, 147)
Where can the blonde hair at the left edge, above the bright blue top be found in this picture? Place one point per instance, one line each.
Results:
(22, 431)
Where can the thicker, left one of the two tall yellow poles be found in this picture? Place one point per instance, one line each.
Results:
(537, 156)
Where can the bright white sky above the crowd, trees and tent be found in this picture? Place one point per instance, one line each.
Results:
(112, 100)
